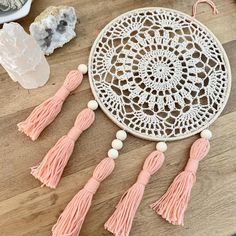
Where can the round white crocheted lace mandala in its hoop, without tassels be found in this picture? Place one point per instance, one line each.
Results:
(159, 74)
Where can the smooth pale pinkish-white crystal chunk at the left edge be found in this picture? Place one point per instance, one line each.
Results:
(22, 58)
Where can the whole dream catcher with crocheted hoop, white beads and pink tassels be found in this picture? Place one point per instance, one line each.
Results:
(160, 75)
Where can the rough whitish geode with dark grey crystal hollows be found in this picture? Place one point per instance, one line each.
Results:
(54, 27)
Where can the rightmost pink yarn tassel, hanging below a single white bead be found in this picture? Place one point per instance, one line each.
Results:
(172, 205)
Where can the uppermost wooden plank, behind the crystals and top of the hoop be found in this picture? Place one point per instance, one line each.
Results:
(93, 17)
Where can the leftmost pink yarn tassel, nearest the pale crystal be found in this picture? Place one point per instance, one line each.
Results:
(46, 112)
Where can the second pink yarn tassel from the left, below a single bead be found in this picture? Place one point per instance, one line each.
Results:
(49, 171)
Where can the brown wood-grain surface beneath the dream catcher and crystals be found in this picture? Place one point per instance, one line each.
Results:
(26, 209)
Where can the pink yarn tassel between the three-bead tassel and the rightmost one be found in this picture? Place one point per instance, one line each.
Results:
(120, 222)
